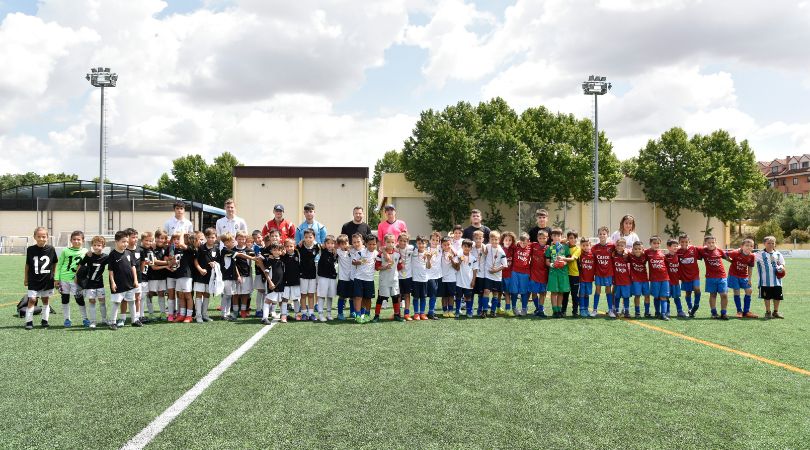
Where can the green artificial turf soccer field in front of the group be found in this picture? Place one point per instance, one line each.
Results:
(493, 383)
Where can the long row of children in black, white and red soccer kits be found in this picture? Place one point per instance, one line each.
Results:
(185, 270)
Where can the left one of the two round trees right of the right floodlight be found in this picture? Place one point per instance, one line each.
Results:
(669, 170)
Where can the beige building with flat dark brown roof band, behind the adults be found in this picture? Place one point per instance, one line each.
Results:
(334, 191)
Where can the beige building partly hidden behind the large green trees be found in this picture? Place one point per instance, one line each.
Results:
(395, 189)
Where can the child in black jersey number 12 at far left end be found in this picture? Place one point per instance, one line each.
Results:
(40, 260)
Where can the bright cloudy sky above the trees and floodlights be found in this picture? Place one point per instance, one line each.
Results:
(339, 83)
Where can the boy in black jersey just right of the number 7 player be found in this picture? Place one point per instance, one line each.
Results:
(123, 280)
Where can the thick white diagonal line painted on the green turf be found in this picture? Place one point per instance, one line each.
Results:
(154, 428)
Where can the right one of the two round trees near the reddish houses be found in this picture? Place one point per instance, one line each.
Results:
(731, 177)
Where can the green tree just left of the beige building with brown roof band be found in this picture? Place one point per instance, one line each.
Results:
(193, 179)
